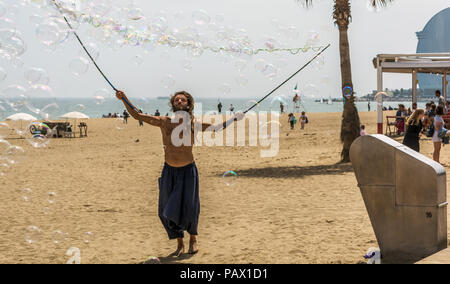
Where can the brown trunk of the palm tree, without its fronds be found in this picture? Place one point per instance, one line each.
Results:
(350, 127)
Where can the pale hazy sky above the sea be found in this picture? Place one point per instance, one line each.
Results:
(391, 30)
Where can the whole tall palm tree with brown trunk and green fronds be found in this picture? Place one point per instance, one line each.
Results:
(350, 127)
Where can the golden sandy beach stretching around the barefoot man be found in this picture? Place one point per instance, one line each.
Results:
(298, 207)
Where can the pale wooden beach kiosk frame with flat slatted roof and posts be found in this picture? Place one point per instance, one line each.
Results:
(427, 63)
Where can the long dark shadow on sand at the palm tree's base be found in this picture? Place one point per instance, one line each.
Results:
(296, 171)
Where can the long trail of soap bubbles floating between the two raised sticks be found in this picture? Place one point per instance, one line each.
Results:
(118, 26)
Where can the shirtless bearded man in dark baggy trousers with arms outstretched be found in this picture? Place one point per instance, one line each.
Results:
(179, 203)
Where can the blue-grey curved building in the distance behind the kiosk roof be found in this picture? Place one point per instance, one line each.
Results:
(435, 38)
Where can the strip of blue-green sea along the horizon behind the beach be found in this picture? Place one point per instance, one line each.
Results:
(97, 109)
